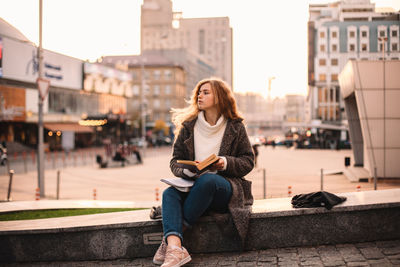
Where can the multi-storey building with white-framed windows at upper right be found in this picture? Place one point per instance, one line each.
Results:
(338, 32)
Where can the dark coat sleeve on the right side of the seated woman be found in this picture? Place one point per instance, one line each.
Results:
(241, 161)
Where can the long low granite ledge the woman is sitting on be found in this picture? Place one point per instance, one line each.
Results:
(364, 216)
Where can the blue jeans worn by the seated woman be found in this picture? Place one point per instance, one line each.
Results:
(209, 192)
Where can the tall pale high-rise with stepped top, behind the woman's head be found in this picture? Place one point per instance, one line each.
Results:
(209, 39)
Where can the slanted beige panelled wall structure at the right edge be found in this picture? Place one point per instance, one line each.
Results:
(375, 86)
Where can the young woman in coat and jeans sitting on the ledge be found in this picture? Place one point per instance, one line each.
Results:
(210, 124)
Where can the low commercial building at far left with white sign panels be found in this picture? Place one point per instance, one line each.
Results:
(68, 104)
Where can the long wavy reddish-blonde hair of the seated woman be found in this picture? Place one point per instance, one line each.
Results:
(224, 98)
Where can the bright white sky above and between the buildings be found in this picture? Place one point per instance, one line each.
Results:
(269, 36)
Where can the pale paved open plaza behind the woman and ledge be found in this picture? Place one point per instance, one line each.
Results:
(299, 169)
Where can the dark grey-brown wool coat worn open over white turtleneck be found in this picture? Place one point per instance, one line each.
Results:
(235, 146)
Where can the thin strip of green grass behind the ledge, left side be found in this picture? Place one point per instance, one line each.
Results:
(42, 214)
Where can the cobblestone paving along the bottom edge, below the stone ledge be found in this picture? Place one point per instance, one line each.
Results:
(379, 254)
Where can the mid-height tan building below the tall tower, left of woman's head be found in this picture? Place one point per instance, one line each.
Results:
(163, 80)
